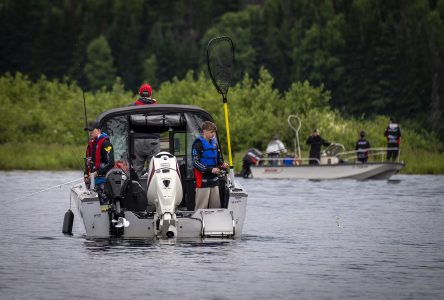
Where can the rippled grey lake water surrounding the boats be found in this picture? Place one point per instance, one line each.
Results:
(301, 240)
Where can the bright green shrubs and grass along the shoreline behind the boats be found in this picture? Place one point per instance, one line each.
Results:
(42, 122)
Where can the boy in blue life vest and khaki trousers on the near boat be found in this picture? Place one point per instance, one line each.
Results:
(208, 163)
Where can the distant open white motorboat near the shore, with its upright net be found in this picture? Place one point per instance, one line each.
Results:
(335, 163)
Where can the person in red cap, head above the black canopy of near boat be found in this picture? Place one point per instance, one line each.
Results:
(145, 148)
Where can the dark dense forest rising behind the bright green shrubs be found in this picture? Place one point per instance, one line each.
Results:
(376, 57)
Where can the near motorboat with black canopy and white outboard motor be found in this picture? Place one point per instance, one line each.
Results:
(160, 203)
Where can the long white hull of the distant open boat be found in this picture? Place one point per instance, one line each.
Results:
(322, 172)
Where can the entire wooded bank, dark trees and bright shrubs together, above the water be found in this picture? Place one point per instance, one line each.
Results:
(342, 66)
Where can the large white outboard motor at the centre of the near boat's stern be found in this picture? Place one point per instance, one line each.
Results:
(165, 191)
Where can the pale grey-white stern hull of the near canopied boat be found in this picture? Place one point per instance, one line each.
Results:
(203, 223)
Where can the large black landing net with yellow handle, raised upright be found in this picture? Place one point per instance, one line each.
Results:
(220, 59)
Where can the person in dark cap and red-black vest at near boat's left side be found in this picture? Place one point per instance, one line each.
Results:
(99, 159)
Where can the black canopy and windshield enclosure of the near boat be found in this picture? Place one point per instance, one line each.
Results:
(176, 131)
